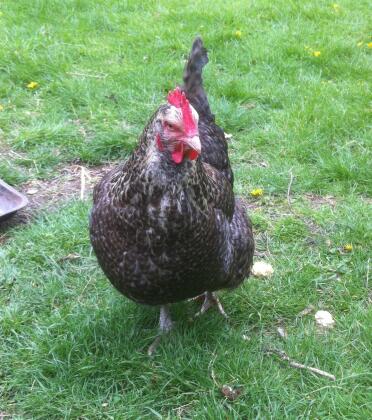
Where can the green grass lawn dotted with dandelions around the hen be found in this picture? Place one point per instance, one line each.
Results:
(70, 345)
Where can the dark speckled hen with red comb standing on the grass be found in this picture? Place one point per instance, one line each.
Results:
(165, 225)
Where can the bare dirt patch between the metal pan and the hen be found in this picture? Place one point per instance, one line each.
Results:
(72, 182)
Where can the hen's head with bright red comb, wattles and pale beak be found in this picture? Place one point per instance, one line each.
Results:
(177, 128)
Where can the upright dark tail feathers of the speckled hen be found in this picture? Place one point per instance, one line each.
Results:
(193, 81)
